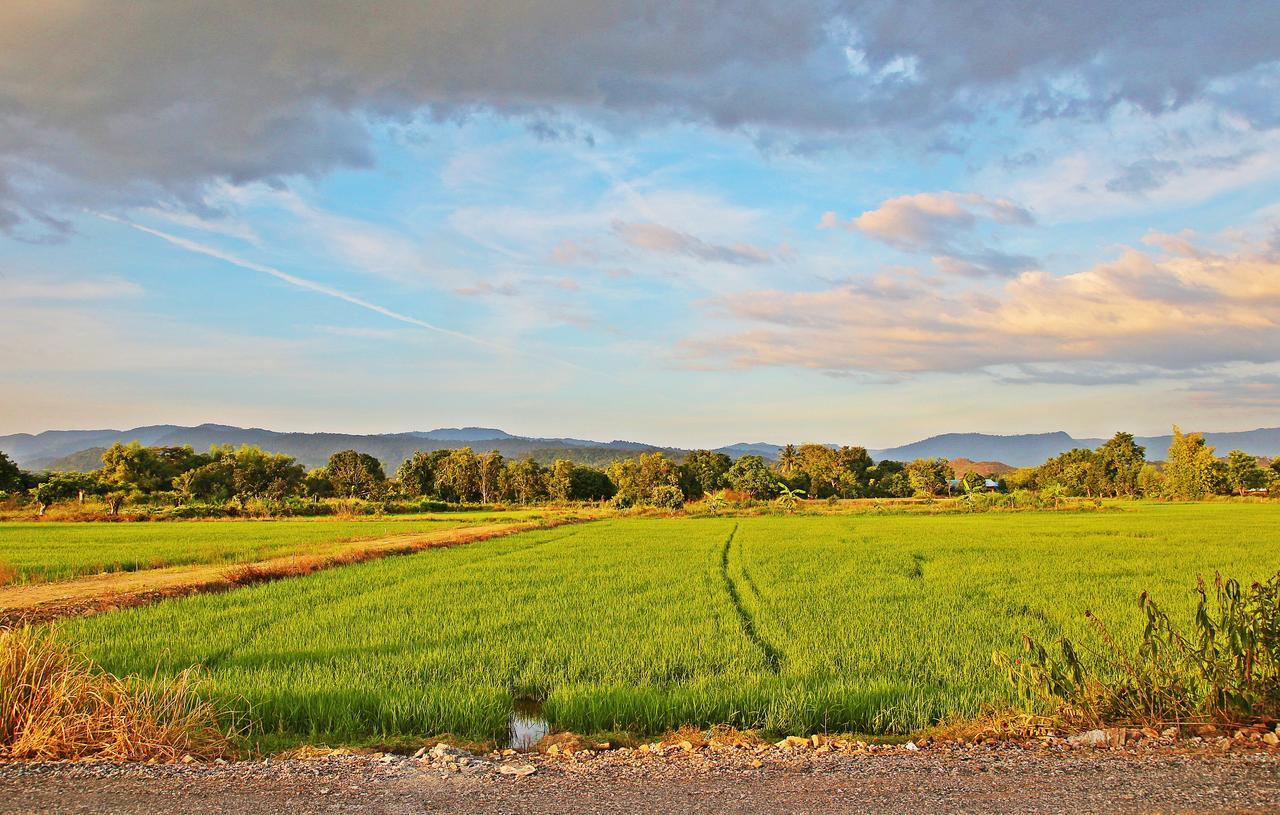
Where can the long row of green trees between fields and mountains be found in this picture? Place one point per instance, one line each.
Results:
(245, 475)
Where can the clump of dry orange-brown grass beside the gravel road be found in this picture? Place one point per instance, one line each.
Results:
(54, 704)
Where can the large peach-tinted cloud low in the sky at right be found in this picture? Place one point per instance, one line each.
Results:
(1187, 308)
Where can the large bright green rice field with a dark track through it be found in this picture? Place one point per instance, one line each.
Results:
(792, 625)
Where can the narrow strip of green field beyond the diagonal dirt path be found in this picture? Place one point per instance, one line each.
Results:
(43, 552)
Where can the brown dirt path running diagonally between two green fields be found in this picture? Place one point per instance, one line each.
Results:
(102, 593)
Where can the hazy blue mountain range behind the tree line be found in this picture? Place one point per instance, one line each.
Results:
(80, 450)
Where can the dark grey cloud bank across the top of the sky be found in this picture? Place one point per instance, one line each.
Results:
(107, 106)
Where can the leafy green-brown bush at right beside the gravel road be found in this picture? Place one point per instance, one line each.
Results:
(1226, 669)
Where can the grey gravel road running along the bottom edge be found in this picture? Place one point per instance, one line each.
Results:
(975, 782)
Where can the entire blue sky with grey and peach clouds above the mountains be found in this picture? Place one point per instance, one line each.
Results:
(678, 223)
